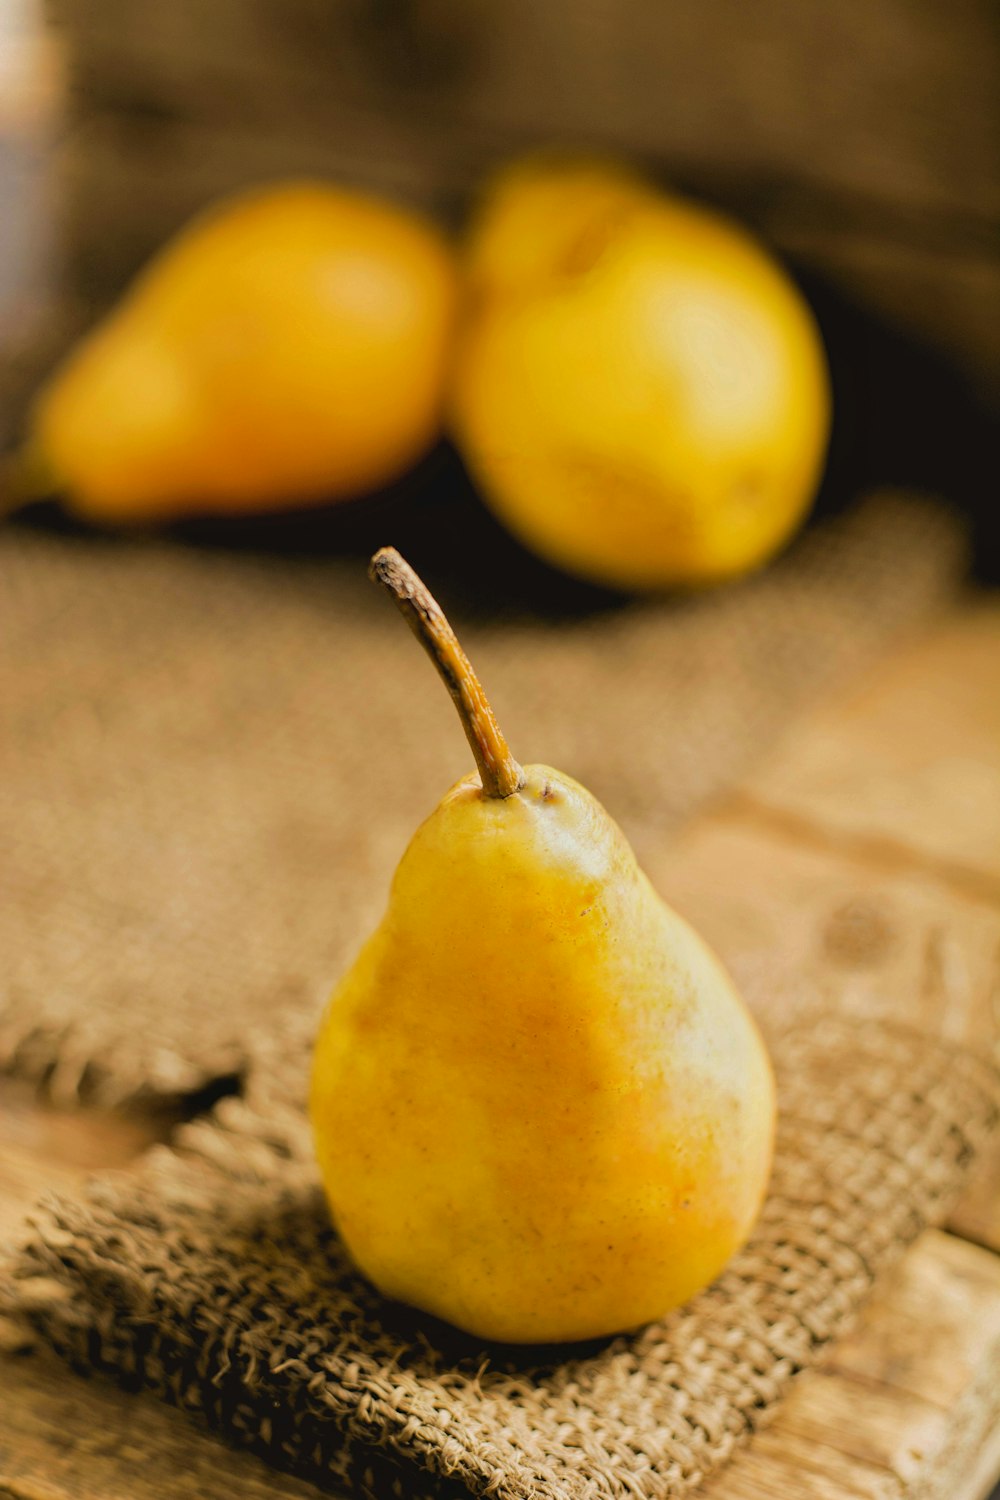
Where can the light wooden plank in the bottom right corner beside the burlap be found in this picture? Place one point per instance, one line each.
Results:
(905, 1405)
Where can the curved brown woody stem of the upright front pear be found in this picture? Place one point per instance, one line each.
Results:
(500, 772)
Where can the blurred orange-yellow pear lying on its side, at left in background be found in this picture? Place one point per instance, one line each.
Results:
(287, 349)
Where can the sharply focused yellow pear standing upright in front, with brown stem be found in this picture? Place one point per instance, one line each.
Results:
(540, 1108)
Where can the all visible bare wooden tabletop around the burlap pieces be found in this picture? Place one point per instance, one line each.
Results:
(866, 856)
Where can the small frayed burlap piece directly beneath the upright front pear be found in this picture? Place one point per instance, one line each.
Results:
(218, 1283)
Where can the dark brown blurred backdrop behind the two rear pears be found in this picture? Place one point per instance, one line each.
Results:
(861, 140)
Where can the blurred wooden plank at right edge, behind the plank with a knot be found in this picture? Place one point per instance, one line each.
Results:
(908, 767)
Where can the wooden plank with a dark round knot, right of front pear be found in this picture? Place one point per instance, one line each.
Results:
(800, 925)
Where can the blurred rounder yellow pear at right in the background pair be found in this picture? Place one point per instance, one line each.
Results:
(639, 389)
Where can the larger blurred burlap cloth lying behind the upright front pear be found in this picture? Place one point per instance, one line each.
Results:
(211, 766)
